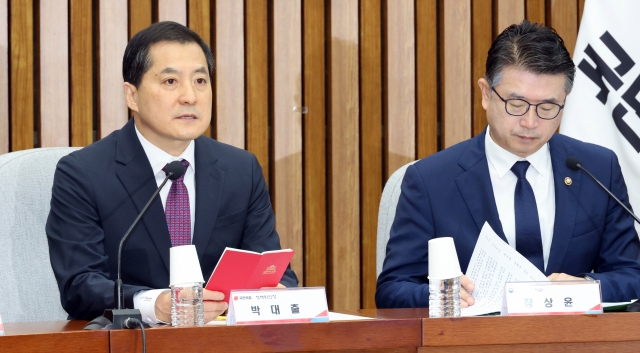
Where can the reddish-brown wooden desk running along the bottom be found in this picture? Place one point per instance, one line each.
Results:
(395, 330)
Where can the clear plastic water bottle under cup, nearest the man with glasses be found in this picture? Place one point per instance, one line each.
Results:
(444, 297)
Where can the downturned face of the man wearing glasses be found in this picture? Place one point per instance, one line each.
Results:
(522, 135)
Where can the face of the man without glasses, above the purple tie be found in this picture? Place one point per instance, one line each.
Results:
(172, 104)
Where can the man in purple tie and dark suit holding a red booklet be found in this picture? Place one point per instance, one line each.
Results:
(99, 191)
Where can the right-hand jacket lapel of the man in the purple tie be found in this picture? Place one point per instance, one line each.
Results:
(209, 182)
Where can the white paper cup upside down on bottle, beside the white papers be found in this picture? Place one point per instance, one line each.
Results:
(443, 259)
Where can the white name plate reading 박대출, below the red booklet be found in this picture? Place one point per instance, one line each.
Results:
(277, 306)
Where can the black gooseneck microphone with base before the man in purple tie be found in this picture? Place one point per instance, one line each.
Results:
(119, 317)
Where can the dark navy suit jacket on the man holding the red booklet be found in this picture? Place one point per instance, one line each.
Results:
(99, 190)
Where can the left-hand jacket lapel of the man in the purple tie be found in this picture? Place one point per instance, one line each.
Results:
(137, 178)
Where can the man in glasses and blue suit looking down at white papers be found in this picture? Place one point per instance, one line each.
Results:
(514, 177)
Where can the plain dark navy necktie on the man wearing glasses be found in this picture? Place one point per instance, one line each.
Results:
(528, 238)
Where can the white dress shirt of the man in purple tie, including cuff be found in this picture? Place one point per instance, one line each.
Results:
(145, 300)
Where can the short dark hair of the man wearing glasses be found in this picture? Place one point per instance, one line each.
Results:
(531, 47)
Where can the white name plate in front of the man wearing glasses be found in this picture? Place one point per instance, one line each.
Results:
(552, 298)
